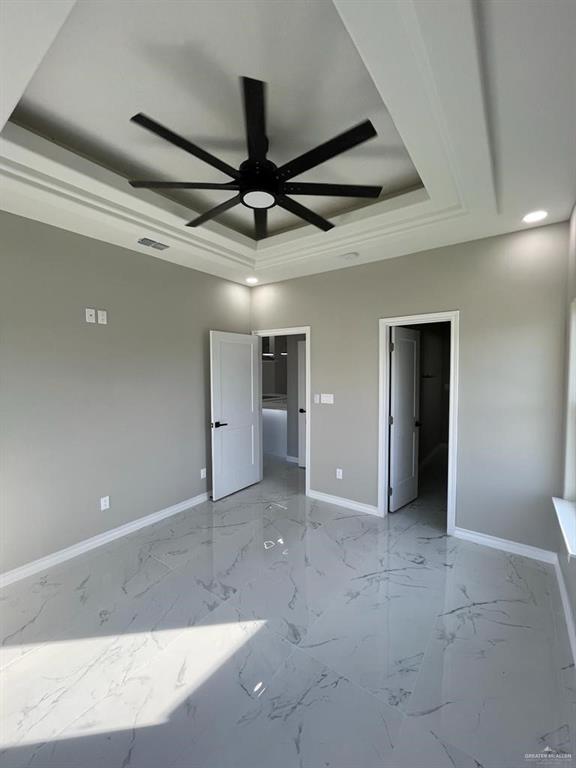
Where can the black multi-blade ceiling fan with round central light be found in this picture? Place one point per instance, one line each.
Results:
(259, 184)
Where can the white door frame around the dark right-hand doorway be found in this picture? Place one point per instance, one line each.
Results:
(452, 317)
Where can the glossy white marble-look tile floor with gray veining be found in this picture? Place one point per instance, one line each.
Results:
(271, 631)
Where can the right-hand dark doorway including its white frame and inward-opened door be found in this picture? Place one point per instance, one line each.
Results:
(418, 395)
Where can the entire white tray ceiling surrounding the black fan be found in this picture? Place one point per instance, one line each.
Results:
(478, 100)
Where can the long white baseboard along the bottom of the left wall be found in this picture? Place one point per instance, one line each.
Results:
(43, 563)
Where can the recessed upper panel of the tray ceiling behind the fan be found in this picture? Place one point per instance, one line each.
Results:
(180, 62)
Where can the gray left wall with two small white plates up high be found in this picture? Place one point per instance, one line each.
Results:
(88, 410)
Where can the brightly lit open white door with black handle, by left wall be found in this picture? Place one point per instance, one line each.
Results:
(235, 412)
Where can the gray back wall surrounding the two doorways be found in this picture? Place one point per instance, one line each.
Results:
(510, 292)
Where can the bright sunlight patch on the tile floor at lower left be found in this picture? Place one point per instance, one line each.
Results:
(126, 680)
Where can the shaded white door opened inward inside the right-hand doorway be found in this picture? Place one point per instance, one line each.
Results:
(404, 413)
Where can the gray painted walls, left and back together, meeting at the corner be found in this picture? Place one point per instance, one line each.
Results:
(121, 410)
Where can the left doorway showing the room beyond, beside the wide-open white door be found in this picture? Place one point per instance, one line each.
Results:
(285, 375)
